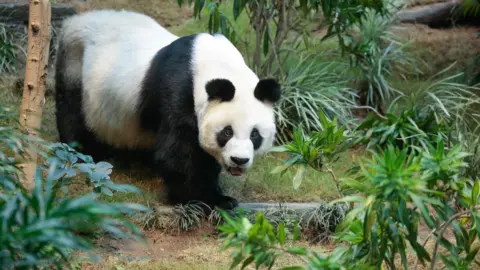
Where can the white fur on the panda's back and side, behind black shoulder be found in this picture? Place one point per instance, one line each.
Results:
(115, 49)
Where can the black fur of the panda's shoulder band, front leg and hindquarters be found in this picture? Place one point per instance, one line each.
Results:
(166, 108)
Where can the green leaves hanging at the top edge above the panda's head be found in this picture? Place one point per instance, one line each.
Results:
(273, 21)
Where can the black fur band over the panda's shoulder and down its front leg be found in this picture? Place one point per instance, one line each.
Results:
(168, 109)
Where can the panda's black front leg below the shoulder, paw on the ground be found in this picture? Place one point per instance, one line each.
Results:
(189, 173)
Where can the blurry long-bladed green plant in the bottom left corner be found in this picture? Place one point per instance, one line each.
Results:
(39, 229)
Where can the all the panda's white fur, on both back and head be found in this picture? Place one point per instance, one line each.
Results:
(117, 46)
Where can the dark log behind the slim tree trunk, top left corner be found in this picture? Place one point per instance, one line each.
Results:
(17, 13)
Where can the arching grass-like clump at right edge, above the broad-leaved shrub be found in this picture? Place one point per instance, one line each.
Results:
(440, 106)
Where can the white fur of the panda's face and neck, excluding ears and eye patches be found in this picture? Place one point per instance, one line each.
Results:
(216, 57)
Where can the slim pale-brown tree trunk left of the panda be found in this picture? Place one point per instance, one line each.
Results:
(35, 80)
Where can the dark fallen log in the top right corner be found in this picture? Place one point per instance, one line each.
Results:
(440, 15)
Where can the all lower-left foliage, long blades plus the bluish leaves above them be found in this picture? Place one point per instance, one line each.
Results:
(39, 228)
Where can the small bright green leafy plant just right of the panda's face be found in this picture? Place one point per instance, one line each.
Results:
(318, 150)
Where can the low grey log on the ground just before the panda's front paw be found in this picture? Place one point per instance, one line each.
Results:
(318, 219)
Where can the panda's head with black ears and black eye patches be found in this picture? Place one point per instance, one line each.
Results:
(238, 123)
